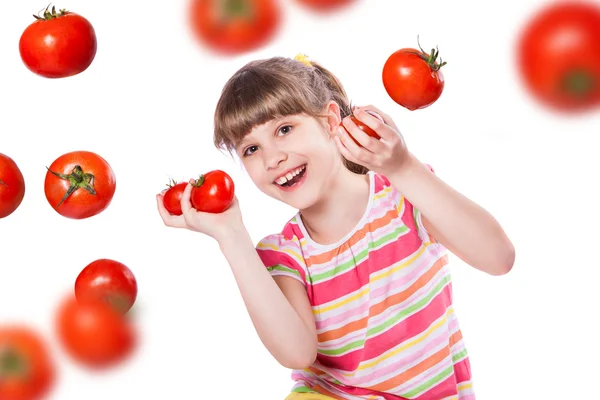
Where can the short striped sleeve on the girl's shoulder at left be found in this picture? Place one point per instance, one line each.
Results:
(283, 257)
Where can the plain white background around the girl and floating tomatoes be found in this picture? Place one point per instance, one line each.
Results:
(146, 106)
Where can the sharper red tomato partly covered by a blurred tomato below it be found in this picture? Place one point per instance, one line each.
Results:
(108, 281)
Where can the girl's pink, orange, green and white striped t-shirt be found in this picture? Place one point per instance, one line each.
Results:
(382, 302)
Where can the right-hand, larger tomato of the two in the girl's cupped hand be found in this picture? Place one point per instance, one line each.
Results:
(213, 192)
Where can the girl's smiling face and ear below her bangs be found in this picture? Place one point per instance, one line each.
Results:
(293, 159)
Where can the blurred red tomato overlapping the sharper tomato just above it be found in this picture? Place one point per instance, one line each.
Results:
(93, 333)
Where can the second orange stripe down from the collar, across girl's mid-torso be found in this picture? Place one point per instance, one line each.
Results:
(380, 307)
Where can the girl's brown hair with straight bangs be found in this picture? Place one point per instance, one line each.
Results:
(275, 87)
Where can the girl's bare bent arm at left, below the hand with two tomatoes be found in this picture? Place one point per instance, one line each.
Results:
(279, 307)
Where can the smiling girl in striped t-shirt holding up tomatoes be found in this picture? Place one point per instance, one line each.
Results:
(354, 294)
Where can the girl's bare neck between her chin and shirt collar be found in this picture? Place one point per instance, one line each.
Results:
(340, 209)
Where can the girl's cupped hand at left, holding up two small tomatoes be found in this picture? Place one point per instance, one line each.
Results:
(215, 225)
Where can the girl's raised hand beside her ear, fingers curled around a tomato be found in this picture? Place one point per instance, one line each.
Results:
(384, 156)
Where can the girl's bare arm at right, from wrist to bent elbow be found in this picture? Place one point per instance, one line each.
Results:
(458, 223)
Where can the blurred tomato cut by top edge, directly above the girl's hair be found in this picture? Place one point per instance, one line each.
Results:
(231, 27)
